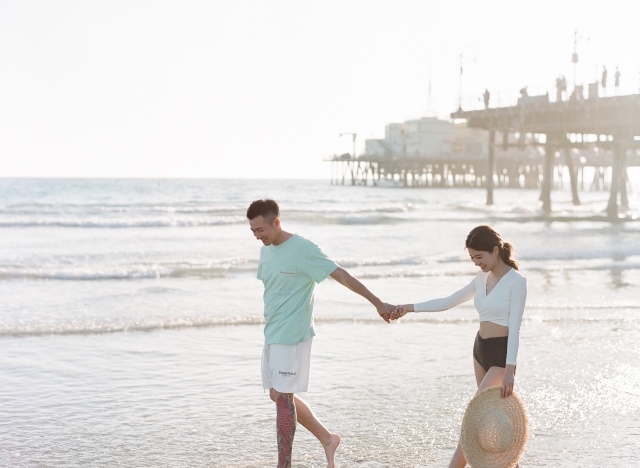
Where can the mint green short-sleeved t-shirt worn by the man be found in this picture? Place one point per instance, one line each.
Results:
(289, 272)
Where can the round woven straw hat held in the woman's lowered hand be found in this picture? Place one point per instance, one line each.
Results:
(494, 430)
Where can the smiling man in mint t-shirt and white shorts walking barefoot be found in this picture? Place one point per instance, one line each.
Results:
(289, 267)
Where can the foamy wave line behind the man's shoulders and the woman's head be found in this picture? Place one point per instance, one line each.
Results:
(77, 269)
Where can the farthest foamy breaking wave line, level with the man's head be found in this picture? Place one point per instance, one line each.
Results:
(193, 214)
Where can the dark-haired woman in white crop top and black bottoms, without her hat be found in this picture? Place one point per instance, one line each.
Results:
(499, 292)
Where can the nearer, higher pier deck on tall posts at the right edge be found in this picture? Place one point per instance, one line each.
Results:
(607, 127)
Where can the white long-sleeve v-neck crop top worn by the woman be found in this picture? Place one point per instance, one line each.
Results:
(504, 305)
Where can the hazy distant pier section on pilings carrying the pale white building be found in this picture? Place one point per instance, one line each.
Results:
(430, 152)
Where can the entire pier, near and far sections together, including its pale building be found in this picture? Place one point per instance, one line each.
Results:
(535, 144)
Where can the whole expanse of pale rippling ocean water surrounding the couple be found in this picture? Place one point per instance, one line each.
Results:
(131, 324)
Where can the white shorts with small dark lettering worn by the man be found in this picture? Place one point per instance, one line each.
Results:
(285, 368)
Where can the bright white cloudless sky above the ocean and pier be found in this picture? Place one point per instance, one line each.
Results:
(262, 89)
